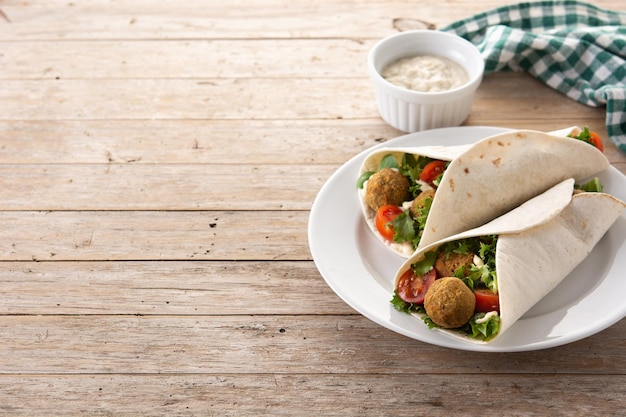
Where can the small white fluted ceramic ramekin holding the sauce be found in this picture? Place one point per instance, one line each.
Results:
(412, 111)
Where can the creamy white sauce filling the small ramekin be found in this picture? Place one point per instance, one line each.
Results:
(425, 73)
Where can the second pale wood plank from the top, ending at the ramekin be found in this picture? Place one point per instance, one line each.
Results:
(201, 58)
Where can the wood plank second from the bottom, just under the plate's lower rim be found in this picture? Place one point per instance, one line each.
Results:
(252, 344)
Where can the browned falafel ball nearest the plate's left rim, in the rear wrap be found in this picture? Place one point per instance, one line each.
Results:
(387, 186)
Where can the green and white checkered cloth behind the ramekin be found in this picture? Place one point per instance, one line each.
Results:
(575, 48)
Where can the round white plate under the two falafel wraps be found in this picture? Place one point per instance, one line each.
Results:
(360, 269)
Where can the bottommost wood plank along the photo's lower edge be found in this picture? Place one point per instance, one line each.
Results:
(324, 395)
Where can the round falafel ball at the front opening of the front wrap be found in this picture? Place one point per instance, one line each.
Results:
(449, 302)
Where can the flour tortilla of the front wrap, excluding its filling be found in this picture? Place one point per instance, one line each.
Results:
(539, 244)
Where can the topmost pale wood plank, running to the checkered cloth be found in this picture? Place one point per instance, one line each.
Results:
(144, 19)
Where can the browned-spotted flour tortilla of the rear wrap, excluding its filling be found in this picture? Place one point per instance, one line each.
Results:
(490, 177)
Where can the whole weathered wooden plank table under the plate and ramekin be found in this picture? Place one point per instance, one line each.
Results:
(158, 162)
